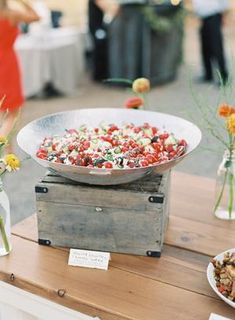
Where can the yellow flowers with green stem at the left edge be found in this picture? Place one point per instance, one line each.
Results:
(9, 162)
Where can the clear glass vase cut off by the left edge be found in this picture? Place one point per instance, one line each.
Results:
(5, 223)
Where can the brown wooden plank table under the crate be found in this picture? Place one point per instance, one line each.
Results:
(134, 287)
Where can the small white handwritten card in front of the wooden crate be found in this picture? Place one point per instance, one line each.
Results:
(89, 259)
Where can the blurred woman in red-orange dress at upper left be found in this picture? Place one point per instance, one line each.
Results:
(11, 93)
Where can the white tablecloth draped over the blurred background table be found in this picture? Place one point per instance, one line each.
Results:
(53, 56)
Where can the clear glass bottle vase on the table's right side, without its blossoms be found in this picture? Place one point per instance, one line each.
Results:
(224, 207)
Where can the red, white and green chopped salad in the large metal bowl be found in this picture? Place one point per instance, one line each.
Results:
(111, 146)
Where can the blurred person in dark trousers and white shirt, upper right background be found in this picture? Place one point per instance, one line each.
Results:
(212, 49)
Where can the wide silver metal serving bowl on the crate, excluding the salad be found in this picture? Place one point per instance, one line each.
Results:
(31, 136)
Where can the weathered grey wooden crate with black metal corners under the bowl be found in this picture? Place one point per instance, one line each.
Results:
(129, 218)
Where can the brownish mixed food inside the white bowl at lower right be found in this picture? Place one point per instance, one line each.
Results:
(224, 273)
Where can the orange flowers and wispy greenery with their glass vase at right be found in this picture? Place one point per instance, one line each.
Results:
(220, 123)
